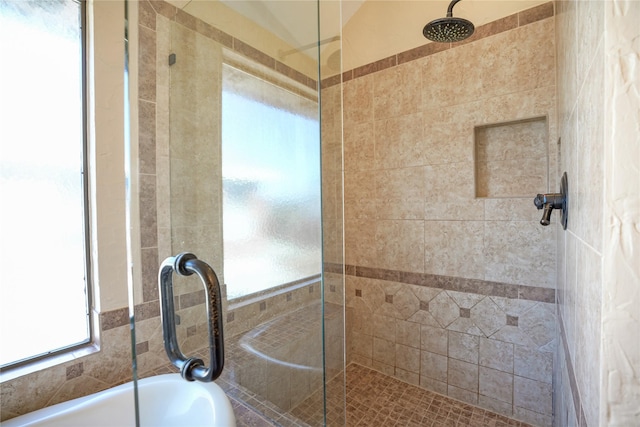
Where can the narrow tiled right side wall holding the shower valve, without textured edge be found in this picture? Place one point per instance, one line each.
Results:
(580, 103)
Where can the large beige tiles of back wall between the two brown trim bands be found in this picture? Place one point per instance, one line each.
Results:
(399, 171)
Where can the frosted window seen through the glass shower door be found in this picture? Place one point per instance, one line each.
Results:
(271, 184)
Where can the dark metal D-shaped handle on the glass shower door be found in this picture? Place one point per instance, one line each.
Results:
(186, 264)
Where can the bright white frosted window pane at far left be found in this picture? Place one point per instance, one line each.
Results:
(43, 294)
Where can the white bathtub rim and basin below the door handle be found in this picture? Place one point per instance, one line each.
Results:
(165, 400)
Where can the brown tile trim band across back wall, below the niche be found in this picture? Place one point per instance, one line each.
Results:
(450, 283)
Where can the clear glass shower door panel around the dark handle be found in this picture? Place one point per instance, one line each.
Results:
(230, 160)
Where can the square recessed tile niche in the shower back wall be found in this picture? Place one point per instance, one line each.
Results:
(511, 159)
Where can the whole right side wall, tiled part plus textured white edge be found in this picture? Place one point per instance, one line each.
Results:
(596, 276)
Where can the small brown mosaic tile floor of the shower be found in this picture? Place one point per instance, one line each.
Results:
(373, 399)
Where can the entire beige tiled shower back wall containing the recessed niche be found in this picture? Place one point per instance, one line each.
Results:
(448, 287)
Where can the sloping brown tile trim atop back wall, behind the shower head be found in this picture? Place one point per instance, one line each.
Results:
(498, 26)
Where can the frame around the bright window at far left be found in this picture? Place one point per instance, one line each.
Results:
(88, 345)
